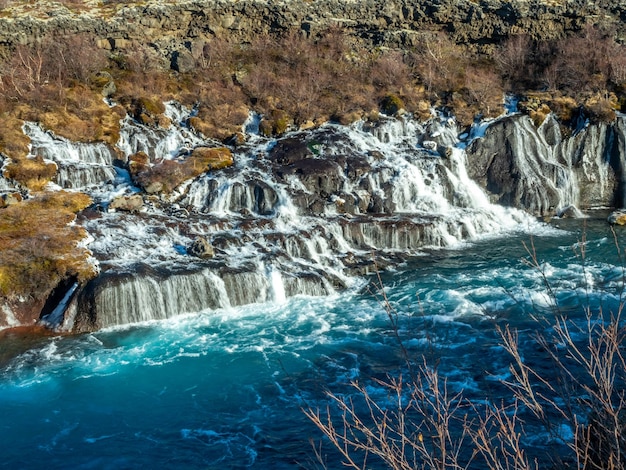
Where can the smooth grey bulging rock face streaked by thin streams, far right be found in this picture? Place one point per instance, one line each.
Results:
(539, 170)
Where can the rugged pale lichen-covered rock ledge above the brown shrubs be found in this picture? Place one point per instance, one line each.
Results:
(384, 22)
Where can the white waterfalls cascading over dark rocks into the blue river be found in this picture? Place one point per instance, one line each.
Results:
(300, 214)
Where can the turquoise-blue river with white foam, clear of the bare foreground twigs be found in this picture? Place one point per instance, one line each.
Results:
(226, 389)
